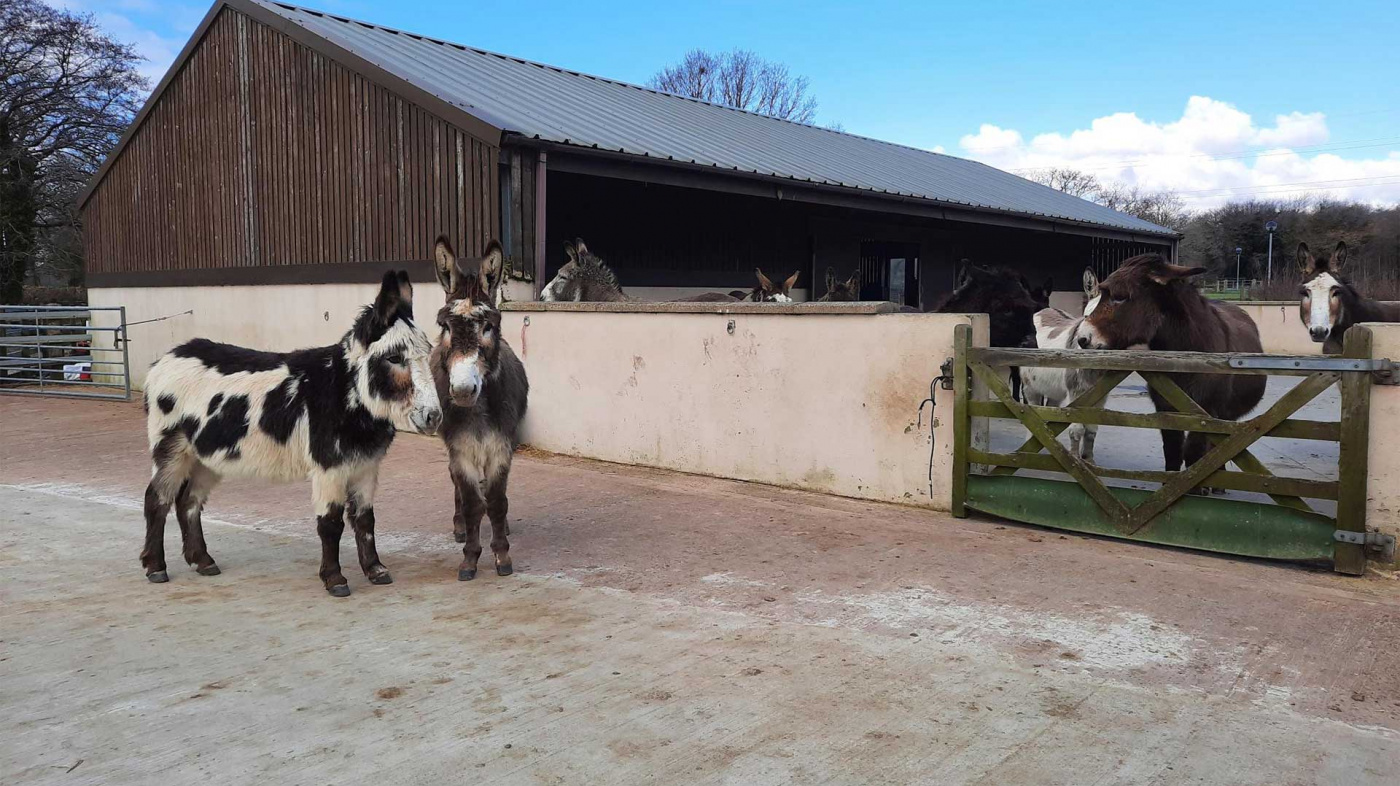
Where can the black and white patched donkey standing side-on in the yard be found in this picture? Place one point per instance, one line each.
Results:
(330, 414)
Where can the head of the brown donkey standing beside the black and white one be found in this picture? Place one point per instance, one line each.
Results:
(470, 345)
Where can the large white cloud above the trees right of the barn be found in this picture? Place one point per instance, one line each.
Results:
(1212, 153)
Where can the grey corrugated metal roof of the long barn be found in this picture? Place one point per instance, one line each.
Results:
(568, 107)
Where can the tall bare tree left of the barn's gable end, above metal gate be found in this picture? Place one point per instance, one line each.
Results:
(66, 95)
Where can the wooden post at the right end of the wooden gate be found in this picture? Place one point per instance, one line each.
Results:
(1352, 466)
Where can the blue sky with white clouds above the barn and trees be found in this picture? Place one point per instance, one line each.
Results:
(1178, 96)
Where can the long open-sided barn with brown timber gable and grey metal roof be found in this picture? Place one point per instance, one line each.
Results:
(289, 156)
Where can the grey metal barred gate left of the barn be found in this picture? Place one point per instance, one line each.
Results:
(54, 351)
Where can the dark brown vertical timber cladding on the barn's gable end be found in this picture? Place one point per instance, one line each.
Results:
(264, 153)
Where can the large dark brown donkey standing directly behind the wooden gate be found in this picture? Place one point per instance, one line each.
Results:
(1151, 302)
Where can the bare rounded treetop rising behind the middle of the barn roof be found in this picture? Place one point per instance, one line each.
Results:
(740, 79)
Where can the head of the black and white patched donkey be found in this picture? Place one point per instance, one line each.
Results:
(390, 359)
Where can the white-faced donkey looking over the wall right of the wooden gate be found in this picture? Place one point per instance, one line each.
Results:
(1331, 305)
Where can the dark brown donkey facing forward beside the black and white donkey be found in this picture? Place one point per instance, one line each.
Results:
(484, 392)
